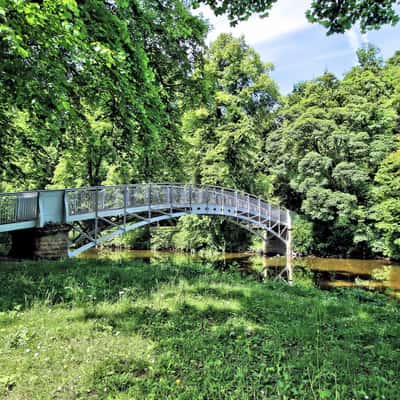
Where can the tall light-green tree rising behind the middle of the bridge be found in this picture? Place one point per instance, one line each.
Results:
(224, 133)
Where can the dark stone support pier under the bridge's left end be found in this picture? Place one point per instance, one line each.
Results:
(49, 242)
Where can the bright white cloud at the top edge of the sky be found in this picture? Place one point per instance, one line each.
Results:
(286, 16)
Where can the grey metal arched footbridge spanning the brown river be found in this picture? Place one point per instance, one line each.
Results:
(93, 215)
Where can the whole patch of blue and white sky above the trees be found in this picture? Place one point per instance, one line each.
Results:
(300, 50)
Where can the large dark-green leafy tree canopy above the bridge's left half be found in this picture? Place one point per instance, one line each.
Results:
(127, 63)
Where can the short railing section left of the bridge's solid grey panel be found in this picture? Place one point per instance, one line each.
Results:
(18, 207)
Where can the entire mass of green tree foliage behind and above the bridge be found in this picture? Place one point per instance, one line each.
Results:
(103, 92)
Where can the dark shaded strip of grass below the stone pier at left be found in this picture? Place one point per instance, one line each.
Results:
(79, 281)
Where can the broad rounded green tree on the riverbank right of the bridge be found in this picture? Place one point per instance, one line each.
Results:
(332, 138)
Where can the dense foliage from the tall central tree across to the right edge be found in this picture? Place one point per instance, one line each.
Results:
(318, 151)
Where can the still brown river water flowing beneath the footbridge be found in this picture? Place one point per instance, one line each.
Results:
(326, 273)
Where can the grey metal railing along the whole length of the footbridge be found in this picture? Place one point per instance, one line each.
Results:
(23, 206)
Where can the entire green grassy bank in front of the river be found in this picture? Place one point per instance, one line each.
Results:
(91, 329)
